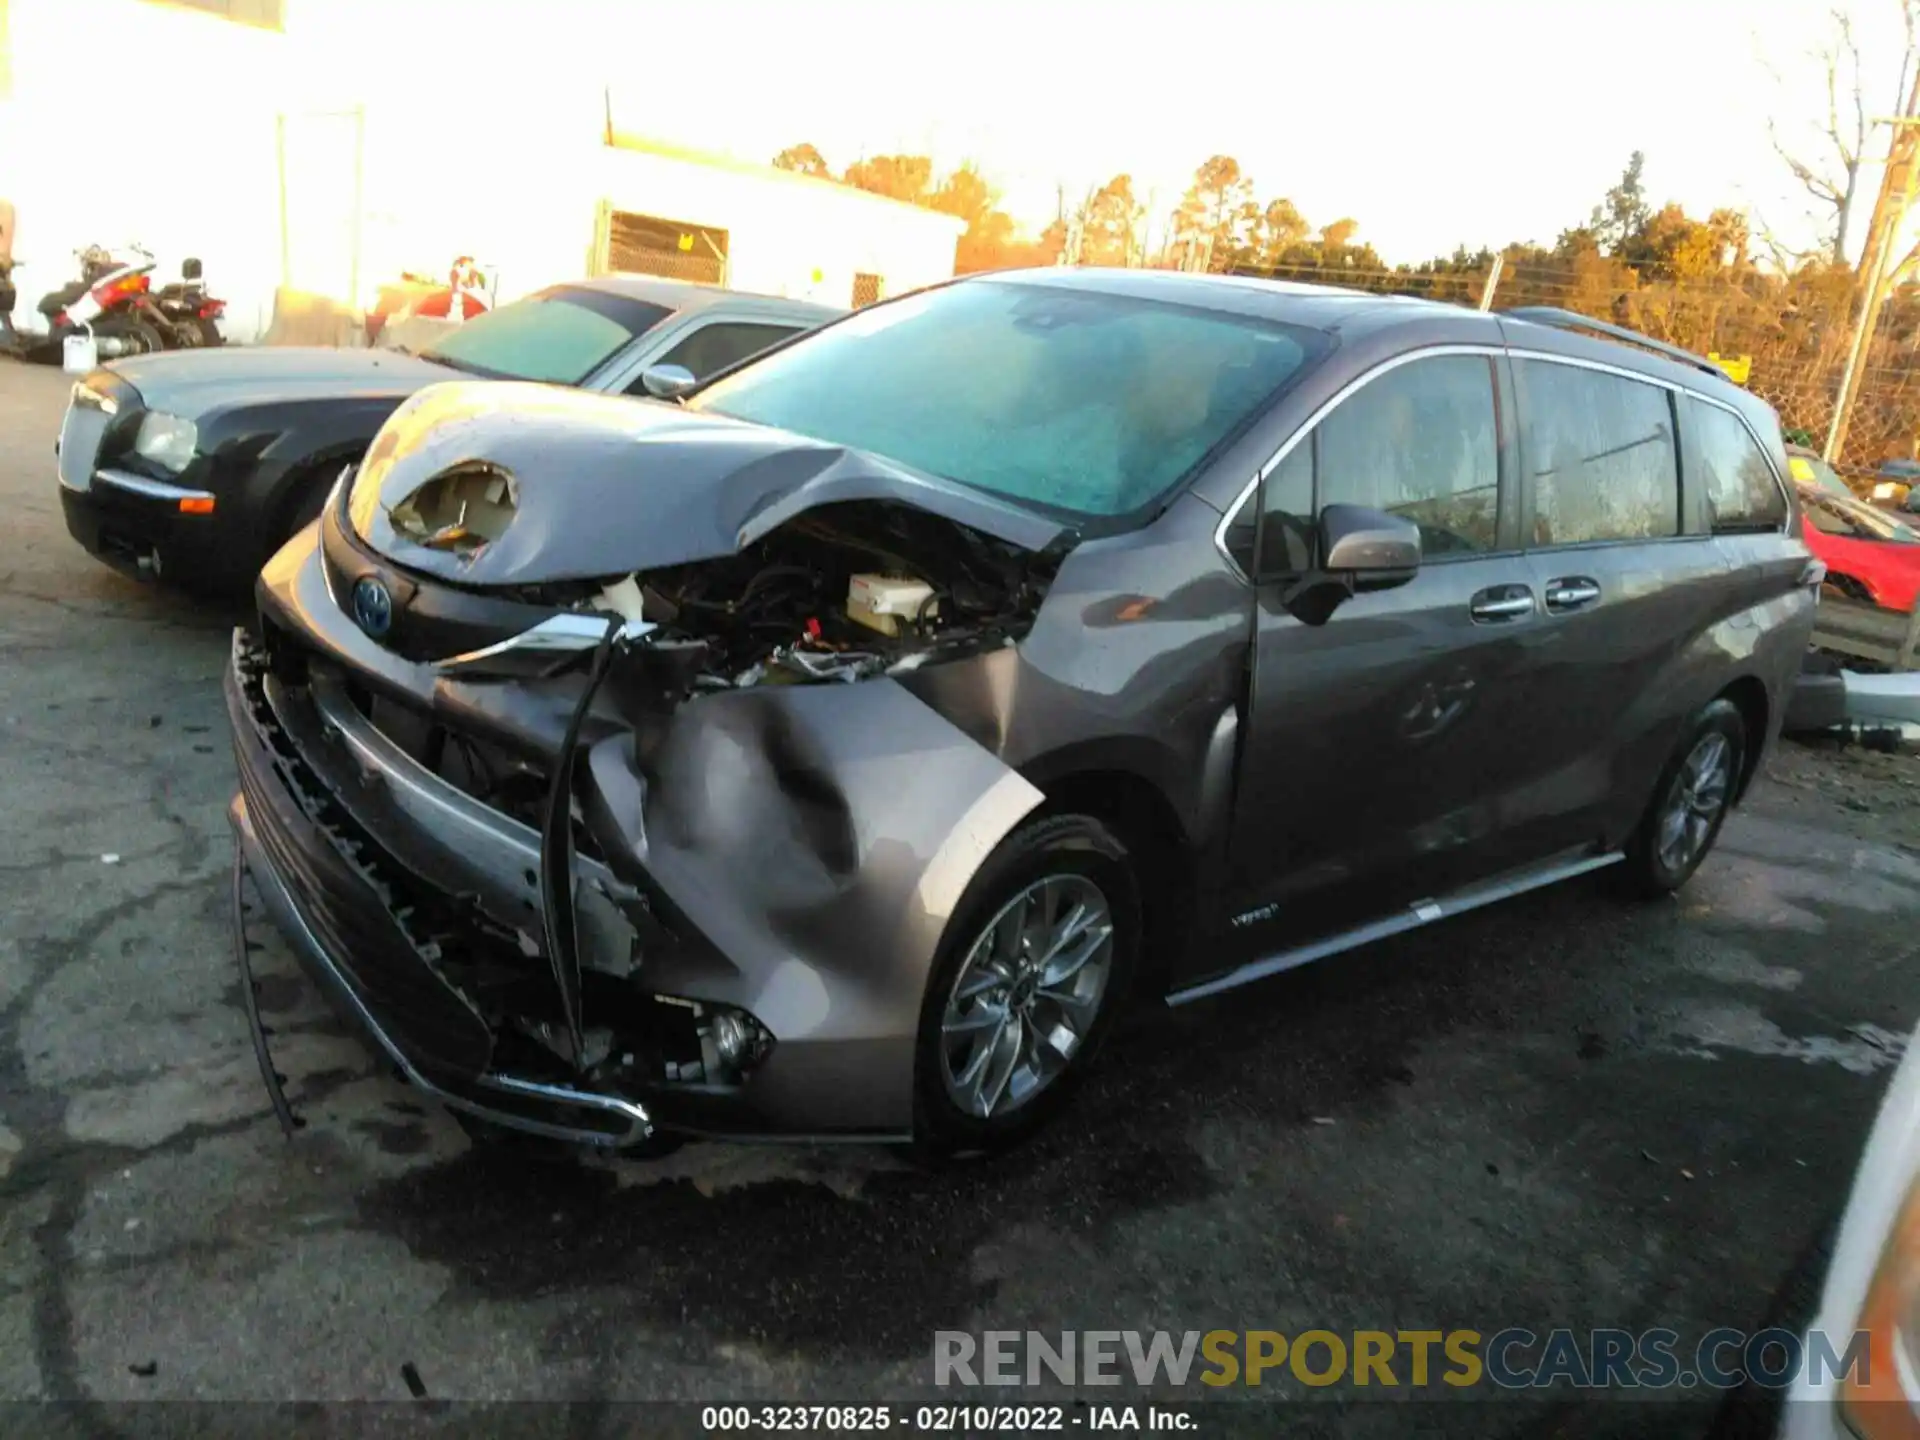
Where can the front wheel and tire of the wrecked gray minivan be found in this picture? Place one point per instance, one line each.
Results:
(1032, 971)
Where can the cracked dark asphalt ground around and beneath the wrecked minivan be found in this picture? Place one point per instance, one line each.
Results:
(1560, 1113)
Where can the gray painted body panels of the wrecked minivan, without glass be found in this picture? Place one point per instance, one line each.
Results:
(1285, 780)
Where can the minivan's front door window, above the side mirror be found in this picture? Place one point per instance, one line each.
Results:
(1420, 443)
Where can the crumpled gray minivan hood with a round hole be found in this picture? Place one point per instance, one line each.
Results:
(606, 485)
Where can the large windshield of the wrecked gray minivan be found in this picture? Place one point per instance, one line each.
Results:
(1088, 406)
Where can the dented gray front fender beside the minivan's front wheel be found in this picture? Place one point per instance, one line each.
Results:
(821, 840)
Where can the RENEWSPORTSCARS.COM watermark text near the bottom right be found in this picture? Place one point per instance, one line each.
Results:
(1512, 1358)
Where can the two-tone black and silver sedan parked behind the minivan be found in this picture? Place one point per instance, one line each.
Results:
(197, 466)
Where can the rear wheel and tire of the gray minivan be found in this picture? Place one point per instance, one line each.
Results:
(1691, 804)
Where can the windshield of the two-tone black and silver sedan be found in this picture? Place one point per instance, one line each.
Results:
(560, 335)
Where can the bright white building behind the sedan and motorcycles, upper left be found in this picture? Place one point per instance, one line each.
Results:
(331, 145)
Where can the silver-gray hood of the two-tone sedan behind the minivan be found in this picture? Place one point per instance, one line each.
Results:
(199, 381)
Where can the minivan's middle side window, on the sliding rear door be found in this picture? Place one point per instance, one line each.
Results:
(1600, 452)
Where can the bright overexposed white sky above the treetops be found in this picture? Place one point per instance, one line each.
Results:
(1472, 122)
